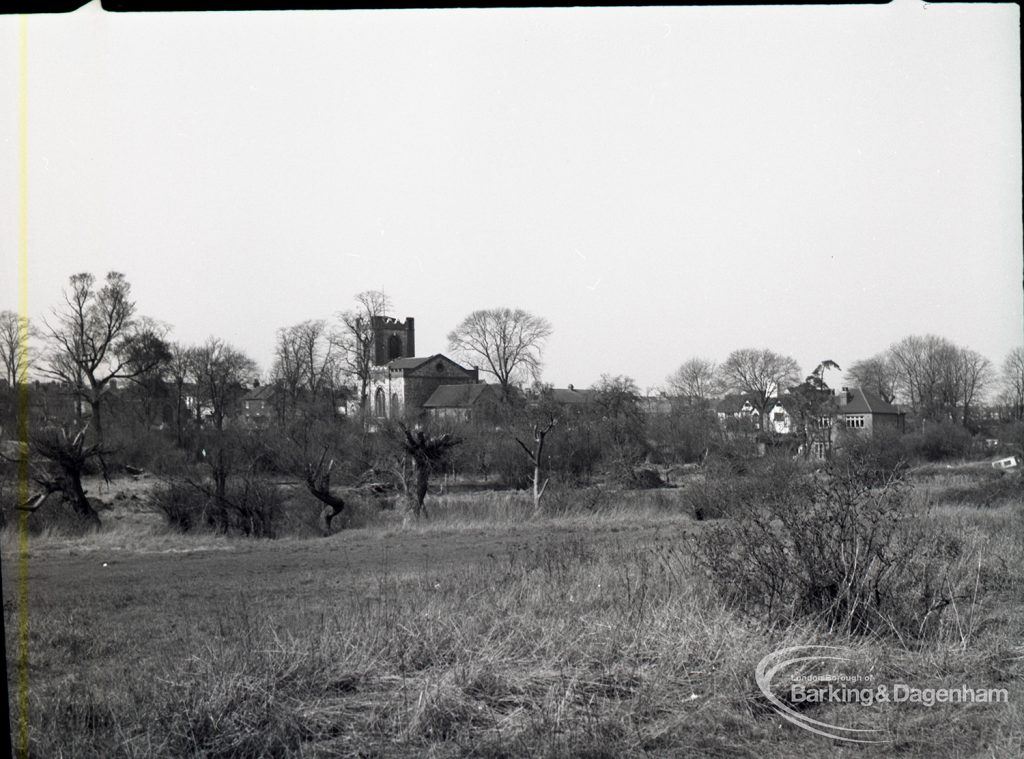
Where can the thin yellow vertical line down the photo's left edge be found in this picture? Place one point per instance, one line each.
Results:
(23, 401)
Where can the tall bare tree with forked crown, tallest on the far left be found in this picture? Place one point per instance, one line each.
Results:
(96, 340)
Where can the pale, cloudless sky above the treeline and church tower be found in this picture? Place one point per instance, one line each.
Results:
(660, 184)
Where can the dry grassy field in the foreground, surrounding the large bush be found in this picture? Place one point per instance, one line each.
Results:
(487, 632)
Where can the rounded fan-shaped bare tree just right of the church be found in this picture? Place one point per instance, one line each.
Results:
(509, 345)
